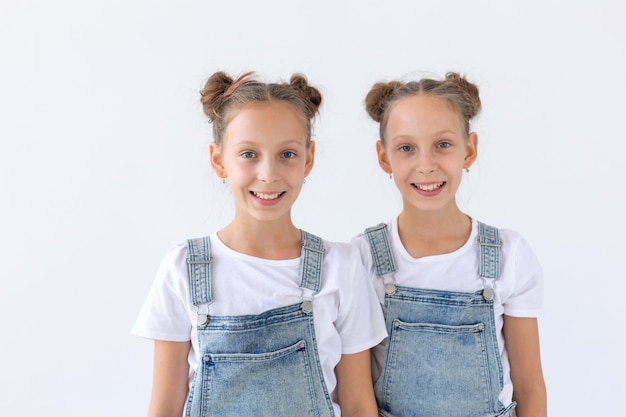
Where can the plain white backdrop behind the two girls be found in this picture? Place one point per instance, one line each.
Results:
(104, 166)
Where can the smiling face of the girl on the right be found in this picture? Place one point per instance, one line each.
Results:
(426, 150)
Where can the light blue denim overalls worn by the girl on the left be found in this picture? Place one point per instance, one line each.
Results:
(258, 365)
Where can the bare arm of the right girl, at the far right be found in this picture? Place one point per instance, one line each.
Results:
(522, 345)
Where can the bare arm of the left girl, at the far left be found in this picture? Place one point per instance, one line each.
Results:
(170, 379)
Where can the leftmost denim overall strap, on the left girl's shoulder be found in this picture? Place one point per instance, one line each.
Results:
(198, 262)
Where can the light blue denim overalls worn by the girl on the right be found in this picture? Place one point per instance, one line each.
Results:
(442, 352)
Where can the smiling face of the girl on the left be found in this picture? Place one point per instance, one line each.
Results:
(265, 157)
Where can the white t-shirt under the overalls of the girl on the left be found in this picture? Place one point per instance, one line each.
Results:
(347, 315)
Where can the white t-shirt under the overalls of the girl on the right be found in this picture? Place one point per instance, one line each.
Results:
(518, 291)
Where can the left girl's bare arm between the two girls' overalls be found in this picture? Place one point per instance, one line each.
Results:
(355, 391)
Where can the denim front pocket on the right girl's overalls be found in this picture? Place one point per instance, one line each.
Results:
(435, 370)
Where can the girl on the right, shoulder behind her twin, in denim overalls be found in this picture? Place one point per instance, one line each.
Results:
(460, 297)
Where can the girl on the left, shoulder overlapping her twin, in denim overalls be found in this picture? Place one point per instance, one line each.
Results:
(261, 318)
